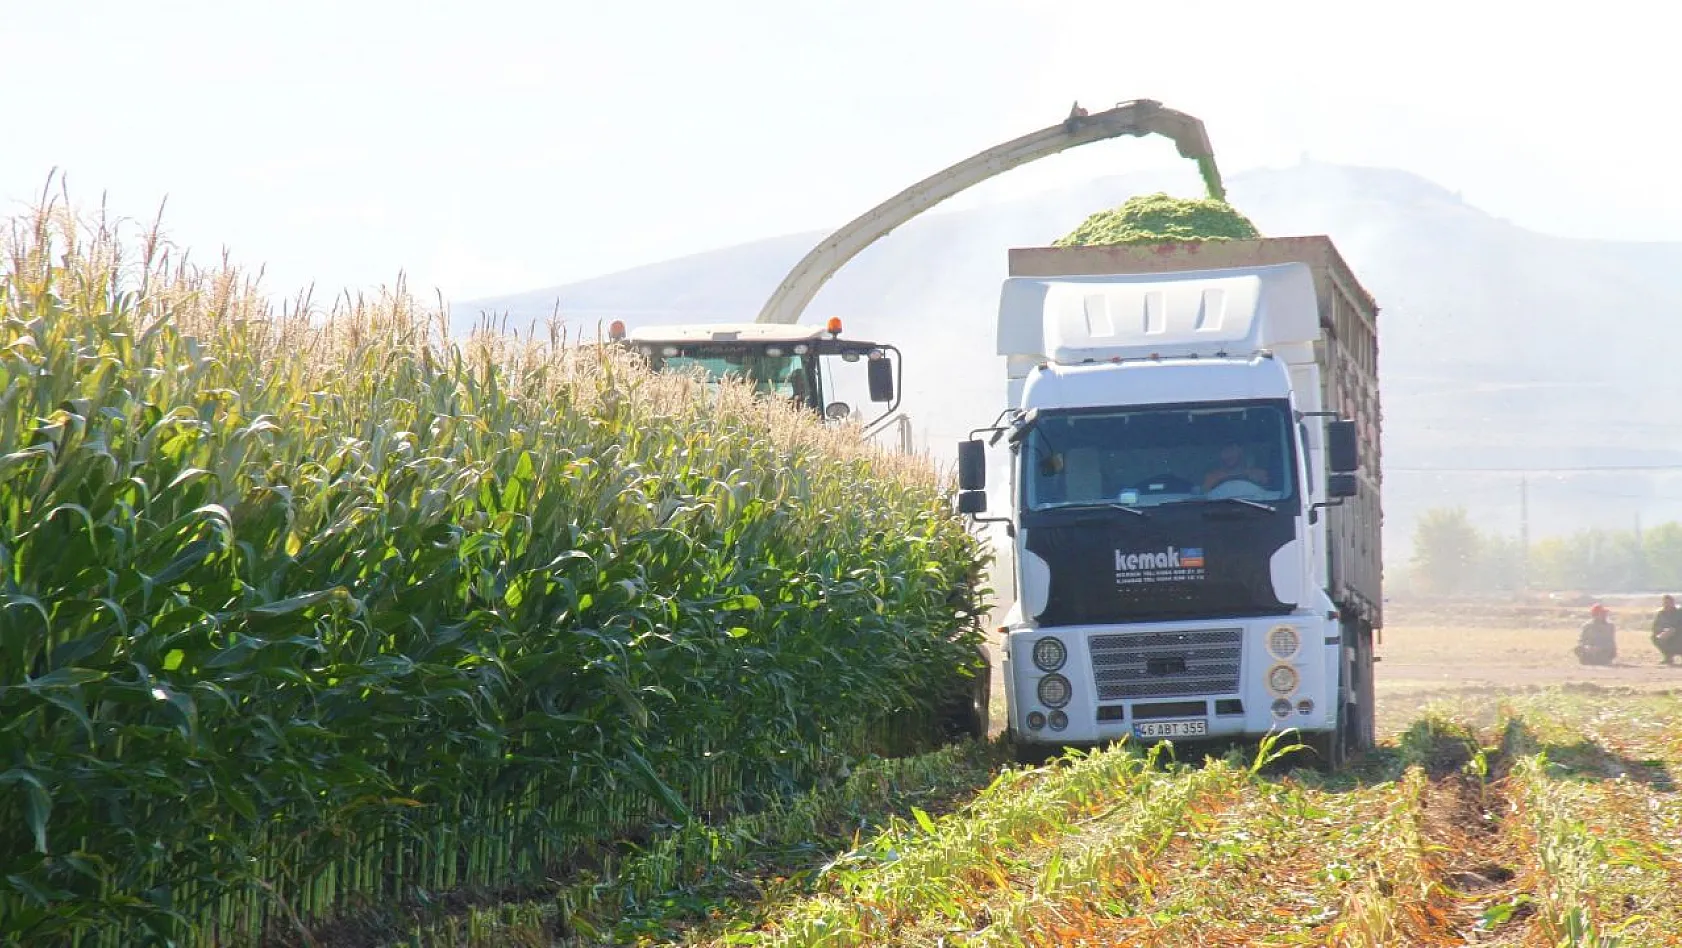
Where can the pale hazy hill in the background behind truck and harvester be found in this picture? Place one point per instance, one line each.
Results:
(1500, 347)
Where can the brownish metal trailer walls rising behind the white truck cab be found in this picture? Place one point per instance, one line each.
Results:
(1348, 357)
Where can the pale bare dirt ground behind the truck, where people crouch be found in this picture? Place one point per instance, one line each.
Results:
(1432, 650)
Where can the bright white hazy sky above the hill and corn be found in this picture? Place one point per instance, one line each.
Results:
(495, 147)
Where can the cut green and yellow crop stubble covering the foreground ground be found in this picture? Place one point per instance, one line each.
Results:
(1545, 818)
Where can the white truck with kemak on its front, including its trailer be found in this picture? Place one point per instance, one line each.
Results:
(1193, 436)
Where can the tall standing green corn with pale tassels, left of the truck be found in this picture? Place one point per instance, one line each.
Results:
(309, 609)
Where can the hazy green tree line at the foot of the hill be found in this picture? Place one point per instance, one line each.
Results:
(1452, 556)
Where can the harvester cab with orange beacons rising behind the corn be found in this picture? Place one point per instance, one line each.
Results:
(795, 362)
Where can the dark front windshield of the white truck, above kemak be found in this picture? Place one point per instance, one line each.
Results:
(1160, 456)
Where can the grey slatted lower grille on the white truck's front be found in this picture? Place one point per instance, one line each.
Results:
(1166, 665)
